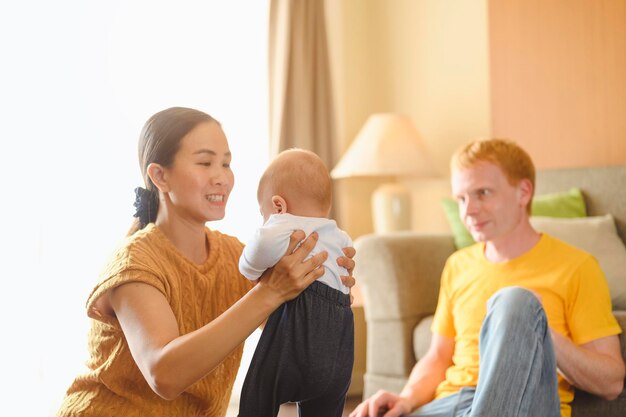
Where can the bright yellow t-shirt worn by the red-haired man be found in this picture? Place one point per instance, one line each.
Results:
(574, 293)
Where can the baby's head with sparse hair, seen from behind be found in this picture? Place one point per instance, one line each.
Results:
(295, 182)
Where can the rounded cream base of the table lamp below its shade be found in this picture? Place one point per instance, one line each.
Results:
(391, 208)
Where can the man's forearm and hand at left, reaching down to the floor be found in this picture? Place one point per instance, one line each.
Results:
(420, 388)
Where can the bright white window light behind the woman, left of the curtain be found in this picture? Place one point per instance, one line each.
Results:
(79, 79)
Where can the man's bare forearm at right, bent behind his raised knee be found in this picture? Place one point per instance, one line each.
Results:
(596, 367)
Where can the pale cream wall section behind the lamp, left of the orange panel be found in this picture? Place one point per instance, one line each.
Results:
(427, 59)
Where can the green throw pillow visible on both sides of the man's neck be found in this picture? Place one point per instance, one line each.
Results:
(565, 204)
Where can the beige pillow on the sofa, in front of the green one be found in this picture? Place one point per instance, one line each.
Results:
(598, 236)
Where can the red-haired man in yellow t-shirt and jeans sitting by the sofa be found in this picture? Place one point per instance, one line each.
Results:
(528, 311)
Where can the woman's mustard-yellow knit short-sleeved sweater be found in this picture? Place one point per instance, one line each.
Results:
(114, 386)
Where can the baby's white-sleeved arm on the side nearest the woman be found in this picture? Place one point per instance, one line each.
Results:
(265, 249)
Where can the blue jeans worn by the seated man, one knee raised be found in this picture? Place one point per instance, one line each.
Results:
(517, 364)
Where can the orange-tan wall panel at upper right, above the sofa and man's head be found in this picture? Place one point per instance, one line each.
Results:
(558, 77)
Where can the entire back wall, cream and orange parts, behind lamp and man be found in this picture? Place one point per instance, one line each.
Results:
(550, 74)
